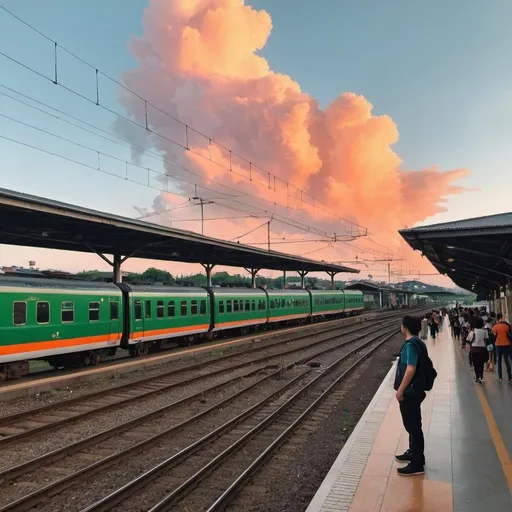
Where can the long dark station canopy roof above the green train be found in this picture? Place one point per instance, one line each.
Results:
(33, 221)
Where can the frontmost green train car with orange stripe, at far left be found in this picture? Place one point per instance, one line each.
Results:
(53, 320)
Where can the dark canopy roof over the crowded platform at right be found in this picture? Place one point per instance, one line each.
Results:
(475, 253)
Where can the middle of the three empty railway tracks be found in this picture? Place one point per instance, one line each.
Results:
(139, 432)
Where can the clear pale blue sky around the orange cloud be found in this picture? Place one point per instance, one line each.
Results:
(440, 69)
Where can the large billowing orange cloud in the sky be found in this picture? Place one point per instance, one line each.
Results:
(198, 60)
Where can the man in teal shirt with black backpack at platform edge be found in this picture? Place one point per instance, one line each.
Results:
(415, 374)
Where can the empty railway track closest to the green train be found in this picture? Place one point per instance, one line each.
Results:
(23, 425)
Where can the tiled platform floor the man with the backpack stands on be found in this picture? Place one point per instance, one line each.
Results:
(468, 447)
